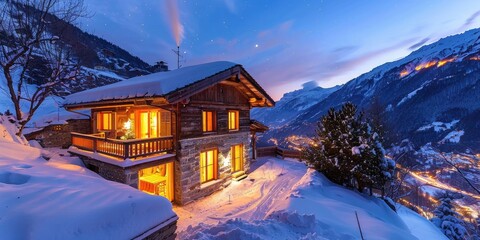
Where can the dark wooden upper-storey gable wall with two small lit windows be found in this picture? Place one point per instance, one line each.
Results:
(220, 98)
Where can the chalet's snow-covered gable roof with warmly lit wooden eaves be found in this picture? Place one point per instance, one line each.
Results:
(173, 86)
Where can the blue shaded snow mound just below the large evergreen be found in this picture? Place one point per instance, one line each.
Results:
(335, 207)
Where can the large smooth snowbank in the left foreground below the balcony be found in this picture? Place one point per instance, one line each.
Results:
(56, 200)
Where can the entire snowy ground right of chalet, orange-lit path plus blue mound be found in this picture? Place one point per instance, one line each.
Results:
(282, 199)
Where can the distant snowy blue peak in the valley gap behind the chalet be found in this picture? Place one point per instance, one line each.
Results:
(291, 104)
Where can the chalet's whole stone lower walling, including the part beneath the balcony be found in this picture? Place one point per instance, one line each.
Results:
(187, 186)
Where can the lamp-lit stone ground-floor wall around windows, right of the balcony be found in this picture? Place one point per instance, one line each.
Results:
(187, 166)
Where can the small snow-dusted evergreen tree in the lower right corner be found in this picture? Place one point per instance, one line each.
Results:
(447, 219)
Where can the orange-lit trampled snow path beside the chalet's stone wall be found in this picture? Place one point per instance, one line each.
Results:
(249, 199)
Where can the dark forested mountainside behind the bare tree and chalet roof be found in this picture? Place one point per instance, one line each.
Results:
(100, 62)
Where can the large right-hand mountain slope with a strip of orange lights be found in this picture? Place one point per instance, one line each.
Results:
(432, 95)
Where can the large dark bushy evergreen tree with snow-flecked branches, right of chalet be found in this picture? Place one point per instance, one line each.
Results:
(347, 151)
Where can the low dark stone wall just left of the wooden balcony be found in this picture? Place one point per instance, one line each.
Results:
(59, 135)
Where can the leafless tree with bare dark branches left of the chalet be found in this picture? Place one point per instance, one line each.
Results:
(25, 38)
